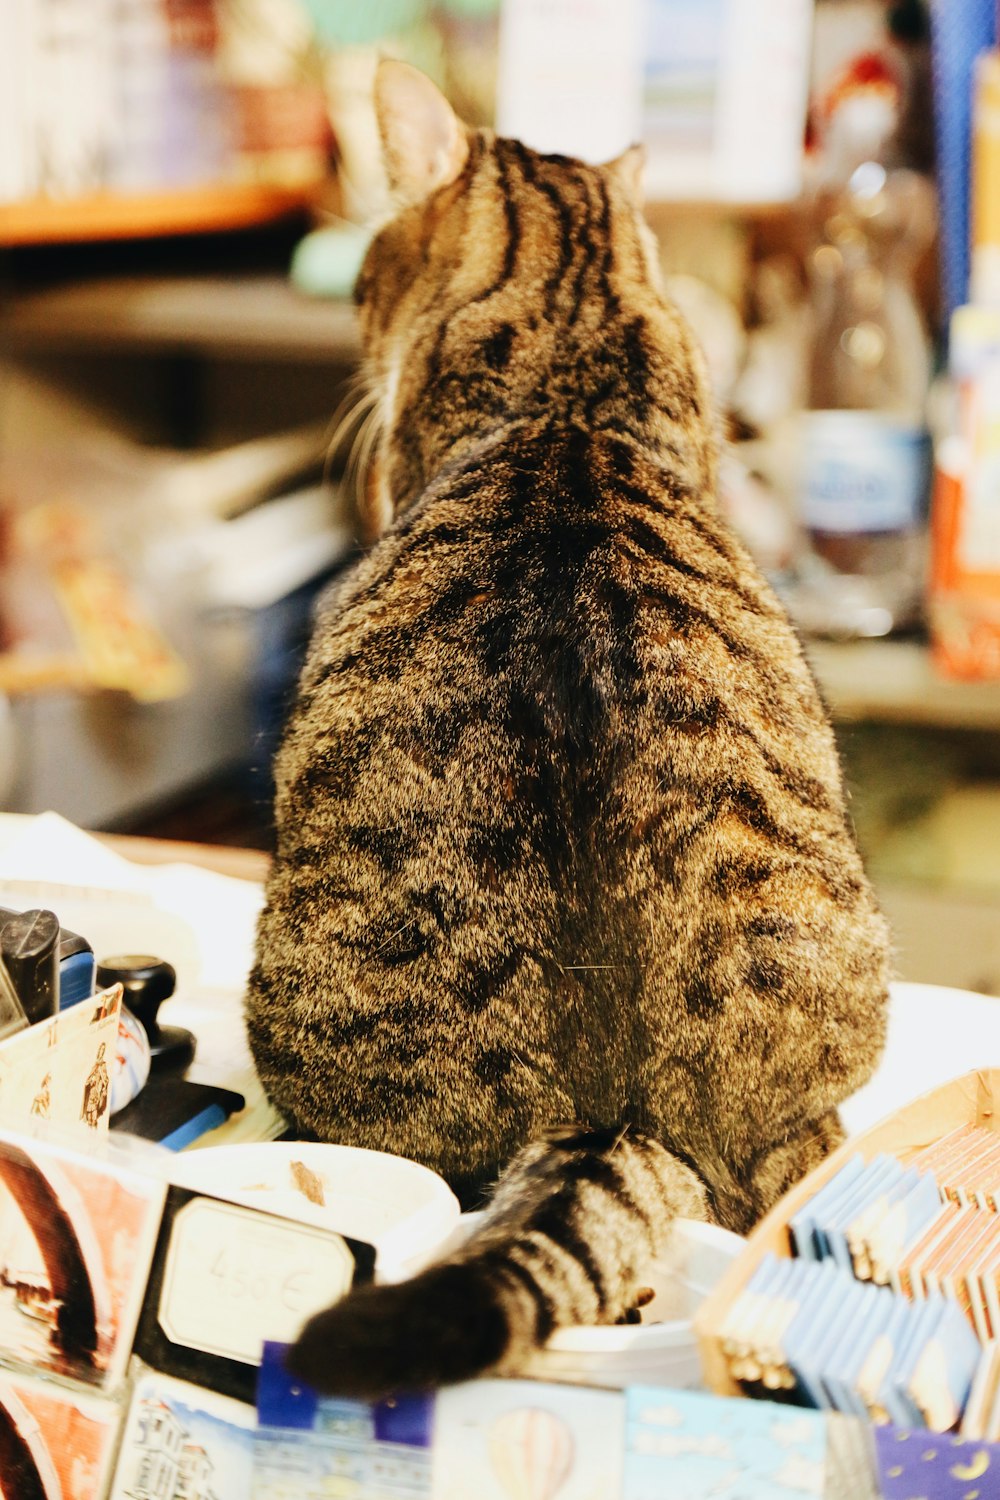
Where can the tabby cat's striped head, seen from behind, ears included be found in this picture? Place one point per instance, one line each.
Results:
(506, 284)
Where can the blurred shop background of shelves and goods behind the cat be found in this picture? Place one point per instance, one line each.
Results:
(187, 190)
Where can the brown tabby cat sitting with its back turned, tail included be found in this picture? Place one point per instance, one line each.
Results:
(561, 826)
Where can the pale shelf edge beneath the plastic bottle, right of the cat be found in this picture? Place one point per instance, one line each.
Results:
(896, 682)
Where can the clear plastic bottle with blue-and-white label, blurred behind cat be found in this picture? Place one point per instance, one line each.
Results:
(864, 452)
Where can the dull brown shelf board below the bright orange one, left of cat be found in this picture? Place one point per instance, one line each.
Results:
(199, 314)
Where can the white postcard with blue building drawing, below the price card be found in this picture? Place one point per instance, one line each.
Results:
(184, 1442)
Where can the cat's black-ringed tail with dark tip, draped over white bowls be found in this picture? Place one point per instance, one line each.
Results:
(573, 1228)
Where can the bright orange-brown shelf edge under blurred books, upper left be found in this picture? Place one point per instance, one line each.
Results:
(133, 217)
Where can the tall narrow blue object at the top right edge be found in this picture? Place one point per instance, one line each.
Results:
(960, 32)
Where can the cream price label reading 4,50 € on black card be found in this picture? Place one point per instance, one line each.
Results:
(235, 1279)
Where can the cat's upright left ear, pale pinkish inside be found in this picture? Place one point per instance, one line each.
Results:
(424, 142)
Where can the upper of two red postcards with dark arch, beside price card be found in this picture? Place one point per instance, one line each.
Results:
(77, 1237)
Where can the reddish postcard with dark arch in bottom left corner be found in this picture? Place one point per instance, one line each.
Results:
(58, 1442)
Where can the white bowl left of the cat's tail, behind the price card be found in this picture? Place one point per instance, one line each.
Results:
(397, 1205)
